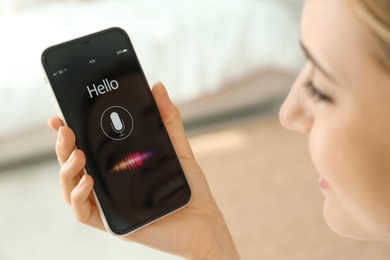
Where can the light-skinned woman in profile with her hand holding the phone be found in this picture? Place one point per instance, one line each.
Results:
(341, 100)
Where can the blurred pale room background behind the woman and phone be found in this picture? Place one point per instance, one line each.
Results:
(227, 64)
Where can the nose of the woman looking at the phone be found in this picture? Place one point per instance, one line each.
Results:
(296, 112)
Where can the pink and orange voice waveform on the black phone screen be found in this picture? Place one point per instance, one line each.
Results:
(131, 161)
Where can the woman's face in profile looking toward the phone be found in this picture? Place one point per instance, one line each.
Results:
(342, 101)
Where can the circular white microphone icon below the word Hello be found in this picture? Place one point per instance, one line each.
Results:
(116, 123)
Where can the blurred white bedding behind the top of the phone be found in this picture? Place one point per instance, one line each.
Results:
(194, 47)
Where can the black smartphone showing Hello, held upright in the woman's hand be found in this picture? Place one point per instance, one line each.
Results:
(101, 93)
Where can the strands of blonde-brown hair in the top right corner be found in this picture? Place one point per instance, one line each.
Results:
(375, 15)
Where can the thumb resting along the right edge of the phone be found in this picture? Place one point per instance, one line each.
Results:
(172, 120)
